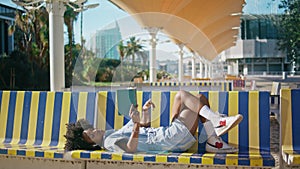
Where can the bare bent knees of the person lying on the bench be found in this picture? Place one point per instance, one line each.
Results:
(186, 107)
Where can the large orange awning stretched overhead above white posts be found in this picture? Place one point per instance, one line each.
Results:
(205, 26)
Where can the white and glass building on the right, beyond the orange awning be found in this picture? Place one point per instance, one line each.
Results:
(256, 51)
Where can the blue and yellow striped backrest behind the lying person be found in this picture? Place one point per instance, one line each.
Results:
(251, 136)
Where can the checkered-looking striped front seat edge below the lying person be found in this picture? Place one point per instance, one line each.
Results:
(178, 158)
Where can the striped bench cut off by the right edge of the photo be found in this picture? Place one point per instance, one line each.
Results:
(290, 125)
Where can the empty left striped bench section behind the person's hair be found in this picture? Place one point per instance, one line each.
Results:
(32, 124)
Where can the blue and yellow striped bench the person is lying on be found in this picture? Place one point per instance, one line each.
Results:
(252, 136)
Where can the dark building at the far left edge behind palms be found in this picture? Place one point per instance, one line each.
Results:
(7, 17)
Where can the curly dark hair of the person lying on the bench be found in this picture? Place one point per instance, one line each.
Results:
(74, 137)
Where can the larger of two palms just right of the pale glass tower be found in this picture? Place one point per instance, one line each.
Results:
(133, 47)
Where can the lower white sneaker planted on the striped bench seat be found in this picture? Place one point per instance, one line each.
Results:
(215, 144)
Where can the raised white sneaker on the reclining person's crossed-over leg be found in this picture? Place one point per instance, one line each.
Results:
(226, 123)
